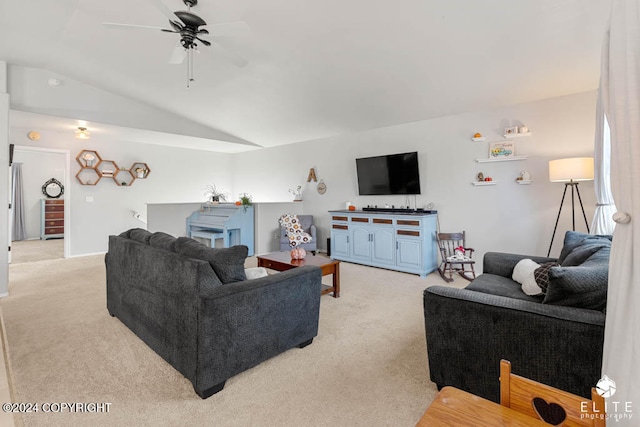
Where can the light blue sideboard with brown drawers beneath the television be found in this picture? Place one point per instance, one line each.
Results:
(397, 241)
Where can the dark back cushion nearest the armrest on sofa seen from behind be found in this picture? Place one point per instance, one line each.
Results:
(228, 263)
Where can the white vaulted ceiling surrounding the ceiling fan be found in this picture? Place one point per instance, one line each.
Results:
(317, 68)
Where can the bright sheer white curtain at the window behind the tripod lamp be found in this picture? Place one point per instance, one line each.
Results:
(605, 207)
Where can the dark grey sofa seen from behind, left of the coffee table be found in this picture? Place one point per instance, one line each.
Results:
(194, 307)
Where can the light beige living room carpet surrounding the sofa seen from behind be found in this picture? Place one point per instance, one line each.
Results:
(367, 366)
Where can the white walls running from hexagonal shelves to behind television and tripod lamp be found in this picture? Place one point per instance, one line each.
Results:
(506, 217)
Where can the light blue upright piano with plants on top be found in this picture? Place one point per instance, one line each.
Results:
(233, 224)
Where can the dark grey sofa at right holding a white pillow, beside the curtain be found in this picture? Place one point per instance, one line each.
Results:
(556, 339)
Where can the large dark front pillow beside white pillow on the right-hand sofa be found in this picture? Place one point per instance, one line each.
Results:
(583, 286)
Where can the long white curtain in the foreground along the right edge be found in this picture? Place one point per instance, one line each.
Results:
(620, 87)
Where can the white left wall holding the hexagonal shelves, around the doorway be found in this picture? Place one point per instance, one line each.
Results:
(177, 175)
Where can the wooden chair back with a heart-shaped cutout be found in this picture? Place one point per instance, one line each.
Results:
(554, 406)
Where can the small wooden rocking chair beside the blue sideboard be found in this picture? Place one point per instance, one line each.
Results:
(462, 263)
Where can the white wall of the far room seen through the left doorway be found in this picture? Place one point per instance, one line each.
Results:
(37, 168)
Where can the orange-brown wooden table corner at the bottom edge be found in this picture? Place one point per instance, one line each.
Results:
(456, 408)
